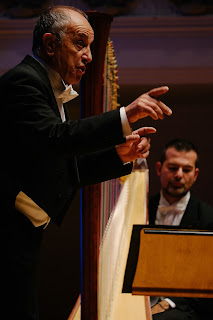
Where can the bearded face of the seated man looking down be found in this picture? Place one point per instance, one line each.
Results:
(177, 173)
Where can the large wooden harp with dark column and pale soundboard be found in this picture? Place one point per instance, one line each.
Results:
(108, 209)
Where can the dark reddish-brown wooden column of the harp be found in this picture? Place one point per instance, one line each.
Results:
(92, 104)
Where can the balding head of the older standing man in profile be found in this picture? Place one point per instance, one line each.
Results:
(62, 38)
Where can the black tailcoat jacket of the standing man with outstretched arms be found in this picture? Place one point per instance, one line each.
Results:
(43, 157)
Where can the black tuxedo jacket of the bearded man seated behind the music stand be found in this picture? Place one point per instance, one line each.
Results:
(198, 215)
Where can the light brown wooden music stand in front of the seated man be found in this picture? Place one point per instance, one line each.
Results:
(174, 263)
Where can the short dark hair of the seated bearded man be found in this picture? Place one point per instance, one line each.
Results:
(179, 145)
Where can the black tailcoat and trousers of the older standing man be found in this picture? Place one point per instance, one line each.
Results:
(47, 160)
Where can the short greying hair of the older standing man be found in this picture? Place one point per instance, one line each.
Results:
(54, 20)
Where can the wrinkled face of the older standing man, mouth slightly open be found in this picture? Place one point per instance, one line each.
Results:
(71, 57)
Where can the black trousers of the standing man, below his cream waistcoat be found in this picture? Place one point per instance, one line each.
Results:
(20, 250)
